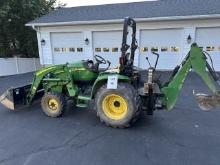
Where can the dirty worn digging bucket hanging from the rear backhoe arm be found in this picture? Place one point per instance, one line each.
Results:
(207, 102)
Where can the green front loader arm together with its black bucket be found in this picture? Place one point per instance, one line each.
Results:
(15, 98)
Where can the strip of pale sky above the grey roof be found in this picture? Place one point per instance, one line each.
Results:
(72, 3)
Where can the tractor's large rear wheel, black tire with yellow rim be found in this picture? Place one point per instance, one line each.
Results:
(118, 108)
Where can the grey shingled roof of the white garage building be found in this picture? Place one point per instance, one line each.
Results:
(143, 10)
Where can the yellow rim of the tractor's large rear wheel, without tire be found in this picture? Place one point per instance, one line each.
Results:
(115, 107)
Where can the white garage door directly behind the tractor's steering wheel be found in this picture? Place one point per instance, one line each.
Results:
(108, 45)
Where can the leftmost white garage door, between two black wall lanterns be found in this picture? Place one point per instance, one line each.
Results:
(67, 47)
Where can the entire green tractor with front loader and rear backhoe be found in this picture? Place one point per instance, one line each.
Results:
(118, 94)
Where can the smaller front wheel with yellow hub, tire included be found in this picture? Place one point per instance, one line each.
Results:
(53, 104)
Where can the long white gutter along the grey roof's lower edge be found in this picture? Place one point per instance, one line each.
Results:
(213, 16)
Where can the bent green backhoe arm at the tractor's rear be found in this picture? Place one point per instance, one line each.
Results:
(197, 61)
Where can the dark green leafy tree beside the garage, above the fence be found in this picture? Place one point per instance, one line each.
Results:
(15, 37)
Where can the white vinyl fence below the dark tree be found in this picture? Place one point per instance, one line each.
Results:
(11, 66)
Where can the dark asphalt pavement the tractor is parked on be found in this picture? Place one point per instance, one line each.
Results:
(184, 136)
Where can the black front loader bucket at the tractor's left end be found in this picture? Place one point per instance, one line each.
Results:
(13, 98)
